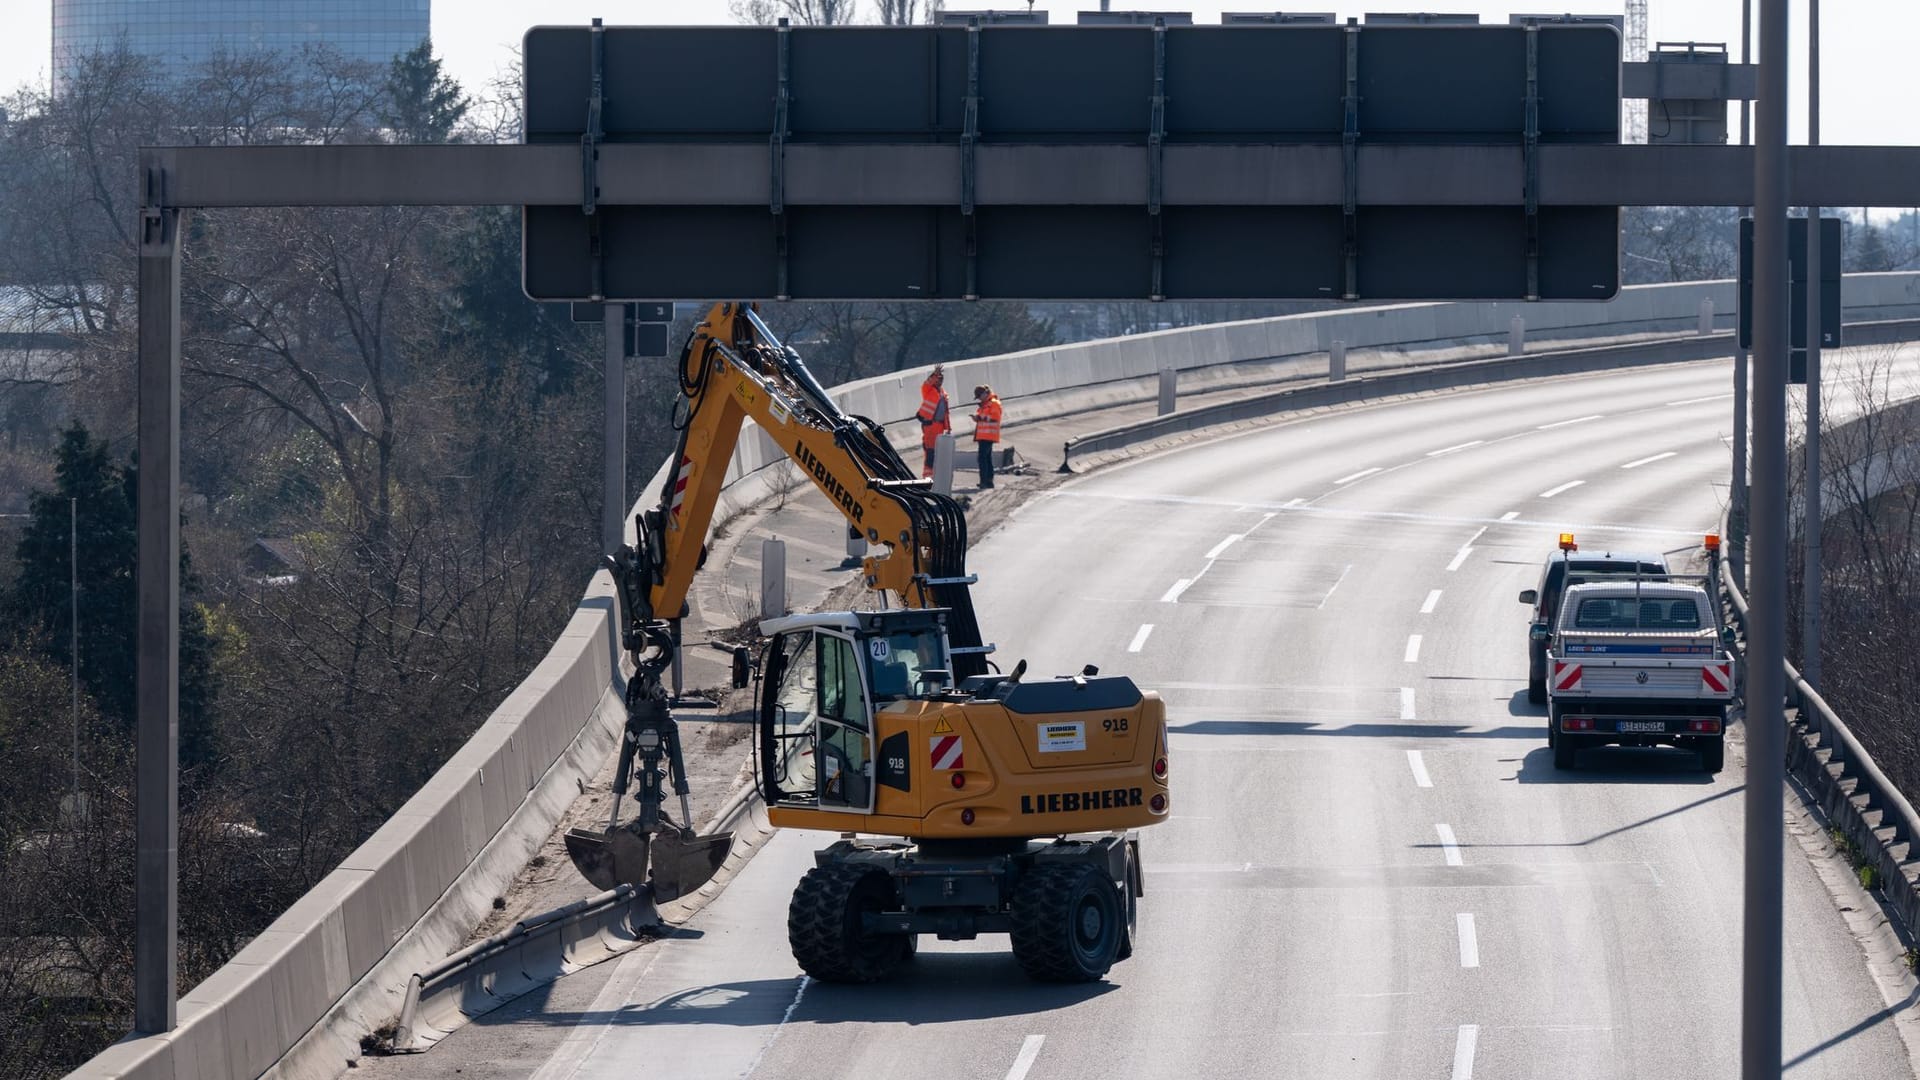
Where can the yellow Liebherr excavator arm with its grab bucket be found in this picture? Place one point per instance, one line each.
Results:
(734, 370)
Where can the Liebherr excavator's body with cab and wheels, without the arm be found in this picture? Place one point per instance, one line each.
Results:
(863, 731)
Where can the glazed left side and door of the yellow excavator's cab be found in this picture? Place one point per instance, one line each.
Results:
(817, 724)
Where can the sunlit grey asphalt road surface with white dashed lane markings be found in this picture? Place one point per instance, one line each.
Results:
(1374, 870)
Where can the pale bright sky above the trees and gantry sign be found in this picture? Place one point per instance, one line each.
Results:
(1869, 74)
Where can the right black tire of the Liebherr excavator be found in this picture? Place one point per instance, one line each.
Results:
(1068, 923)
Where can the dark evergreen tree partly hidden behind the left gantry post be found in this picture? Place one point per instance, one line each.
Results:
(108, 554)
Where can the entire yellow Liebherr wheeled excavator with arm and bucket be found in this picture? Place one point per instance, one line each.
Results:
(969, 800)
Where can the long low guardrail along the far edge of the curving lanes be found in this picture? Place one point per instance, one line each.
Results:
(1443, 378)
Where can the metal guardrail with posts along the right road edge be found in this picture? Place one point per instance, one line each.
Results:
(1852, 789)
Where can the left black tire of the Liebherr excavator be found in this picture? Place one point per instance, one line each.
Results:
(825, 925)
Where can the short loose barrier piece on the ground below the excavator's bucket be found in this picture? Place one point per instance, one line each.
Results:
(535, 952)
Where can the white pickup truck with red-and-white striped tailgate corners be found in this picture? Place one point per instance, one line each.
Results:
(1639, 664)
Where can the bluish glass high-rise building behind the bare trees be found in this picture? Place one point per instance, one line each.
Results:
(185, 34)
